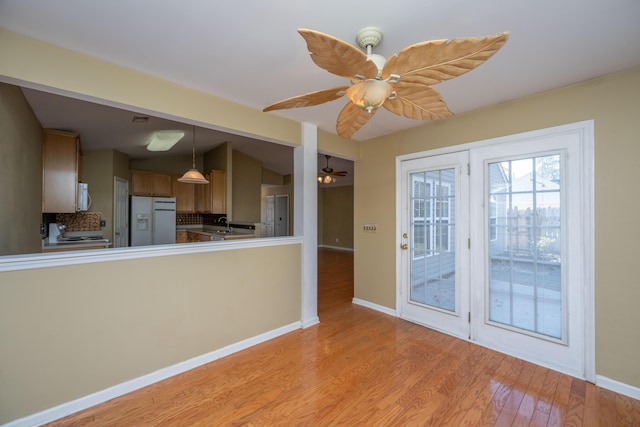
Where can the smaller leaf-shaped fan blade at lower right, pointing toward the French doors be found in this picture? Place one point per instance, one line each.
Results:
(417, 102)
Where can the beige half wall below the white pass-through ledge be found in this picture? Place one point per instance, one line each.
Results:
(67, 332)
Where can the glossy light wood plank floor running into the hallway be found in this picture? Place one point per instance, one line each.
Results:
(359, 367)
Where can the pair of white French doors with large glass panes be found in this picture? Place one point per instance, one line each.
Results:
(494, 245)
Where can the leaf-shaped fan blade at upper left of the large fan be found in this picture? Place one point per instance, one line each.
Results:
(336, 56)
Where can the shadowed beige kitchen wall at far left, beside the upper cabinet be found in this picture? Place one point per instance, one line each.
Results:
(20, 169)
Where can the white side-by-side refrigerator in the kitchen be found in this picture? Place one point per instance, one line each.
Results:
(153, 220)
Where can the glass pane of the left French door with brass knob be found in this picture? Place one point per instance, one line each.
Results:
(432, 260)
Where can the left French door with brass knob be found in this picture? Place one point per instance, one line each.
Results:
(436, 229)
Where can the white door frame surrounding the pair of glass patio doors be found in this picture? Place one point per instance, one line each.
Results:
(587, 247)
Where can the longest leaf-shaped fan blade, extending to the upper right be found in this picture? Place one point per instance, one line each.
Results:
(431, 62)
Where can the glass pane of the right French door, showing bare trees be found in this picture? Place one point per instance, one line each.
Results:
(525, 257)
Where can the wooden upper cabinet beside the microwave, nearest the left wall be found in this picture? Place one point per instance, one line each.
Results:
(60, 163)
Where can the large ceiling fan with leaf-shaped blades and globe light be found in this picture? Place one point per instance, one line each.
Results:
(401, 83)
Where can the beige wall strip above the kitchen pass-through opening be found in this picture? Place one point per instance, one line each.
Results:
(43, 65)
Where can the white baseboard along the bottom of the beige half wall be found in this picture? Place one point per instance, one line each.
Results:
(88, 401)
